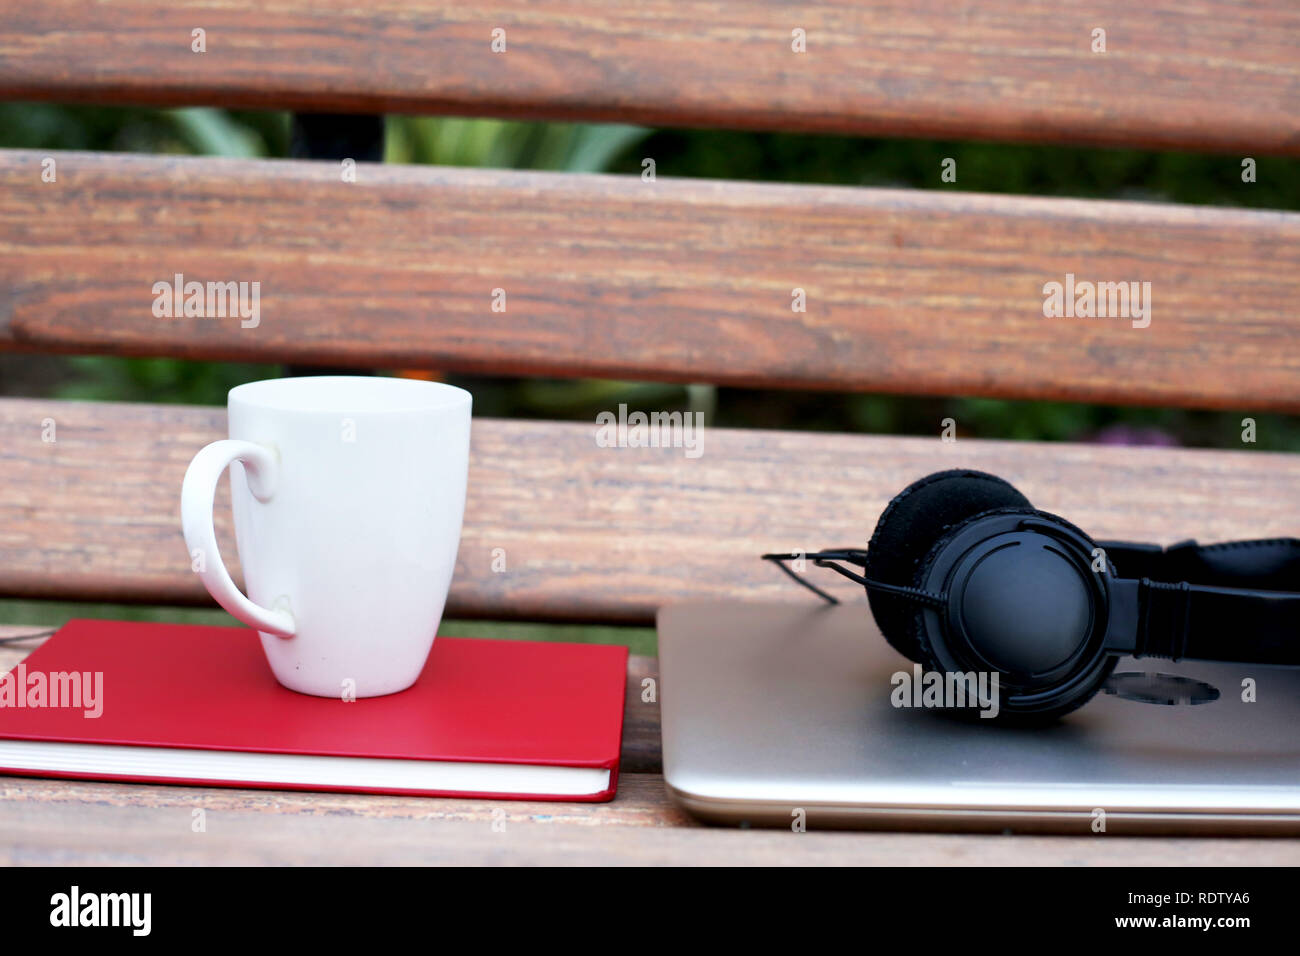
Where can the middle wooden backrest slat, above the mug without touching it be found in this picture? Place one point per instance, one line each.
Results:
(907, 292)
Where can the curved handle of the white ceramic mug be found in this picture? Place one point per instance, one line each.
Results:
(197, 498)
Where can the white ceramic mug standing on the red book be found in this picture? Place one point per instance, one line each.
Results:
(349, 496)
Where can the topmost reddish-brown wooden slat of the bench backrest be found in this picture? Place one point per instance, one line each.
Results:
(1216, 75)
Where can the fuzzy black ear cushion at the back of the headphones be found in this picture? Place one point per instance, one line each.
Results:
(909, 529)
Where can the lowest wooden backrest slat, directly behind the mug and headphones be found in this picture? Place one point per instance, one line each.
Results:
(601, 534)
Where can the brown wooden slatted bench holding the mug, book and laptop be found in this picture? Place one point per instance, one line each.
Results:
(918, 293)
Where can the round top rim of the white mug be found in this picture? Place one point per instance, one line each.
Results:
(350, 395)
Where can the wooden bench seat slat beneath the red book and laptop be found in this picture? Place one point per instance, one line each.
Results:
(77, 823)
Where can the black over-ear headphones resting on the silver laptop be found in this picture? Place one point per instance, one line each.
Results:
(963, 574)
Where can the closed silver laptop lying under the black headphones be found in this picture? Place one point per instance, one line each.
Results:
(782, 715)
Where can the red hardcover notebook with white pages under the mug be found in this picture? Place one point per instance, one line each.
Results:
(198, 706)
